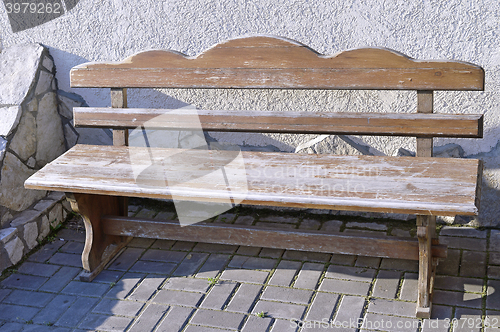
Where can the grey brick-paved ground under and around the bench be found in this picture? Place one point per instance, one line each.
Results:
(183, 286)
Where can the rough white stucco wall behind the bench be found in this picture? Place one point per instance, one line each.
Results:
(96, 30)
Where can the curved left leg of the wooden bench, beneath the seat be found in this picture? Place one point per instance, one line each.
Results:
(99, 248)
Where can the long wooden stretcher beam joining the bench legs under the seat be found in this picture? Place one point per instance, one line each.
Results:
(304, 240)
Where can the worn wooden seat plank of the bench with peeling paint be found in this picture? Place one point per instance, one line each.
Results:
(426, 186)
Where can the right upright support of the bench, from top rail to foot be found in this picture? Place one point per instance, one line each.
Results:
(426, 225)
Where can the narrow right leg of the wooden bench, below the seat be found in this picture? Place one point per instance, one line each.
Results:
(427, 266)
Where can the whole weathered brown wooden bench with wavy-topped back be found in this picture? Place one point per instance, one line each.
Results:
(100, 177)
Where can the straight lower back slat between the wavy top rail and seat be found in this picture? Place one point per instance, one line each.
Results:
(391, 124)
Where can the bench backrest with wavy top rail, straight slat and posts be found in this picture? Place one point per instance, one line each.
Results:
(277, 63)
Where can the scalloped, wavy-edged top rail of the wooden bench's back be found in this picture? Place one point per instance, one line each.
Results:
(278, 63)
